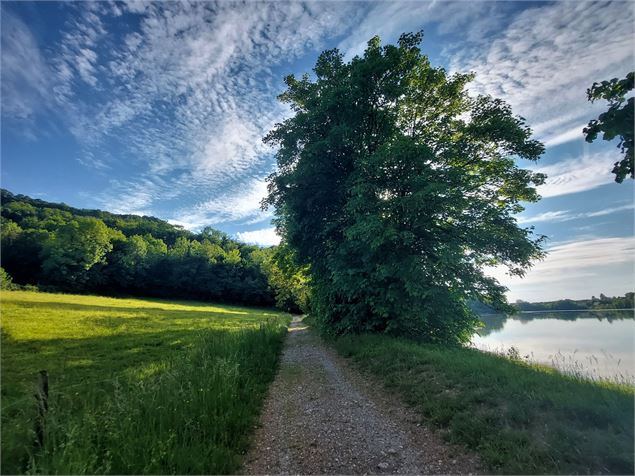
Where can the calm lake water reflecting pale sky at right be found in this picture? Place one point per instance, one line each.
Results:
(596, 343)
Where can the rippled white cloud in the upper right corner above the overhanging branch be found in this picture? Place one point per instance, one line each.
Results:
(543, 61)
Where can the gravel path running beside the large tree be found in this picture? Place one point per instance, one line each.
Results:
(323, 417)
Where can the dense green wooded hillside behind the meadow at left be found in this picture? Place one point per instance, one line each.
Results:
(62, 248)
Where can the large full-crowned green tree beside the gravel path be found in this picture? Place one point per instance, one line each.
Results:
(397, 188)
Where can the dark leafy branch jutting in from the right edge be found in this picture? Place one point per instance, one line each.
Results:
(617, 121)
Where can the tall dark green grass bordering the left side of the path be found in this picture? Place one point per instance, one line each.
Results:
(195, 417)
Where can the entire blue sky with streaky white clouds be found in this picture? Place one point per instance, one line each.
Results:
(160, 108)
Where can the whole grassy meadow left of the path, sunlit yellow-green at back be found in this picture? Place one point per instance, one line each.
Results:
(136, 385)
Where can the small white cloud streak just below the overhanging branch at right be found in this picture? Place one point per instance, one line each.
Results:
(577, 174)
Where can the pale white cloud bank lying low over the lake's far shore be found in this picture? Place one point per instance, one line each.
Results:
(576, 270)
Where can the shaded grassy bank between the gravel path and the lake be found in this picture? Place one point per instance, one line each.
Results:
(520, 418)
